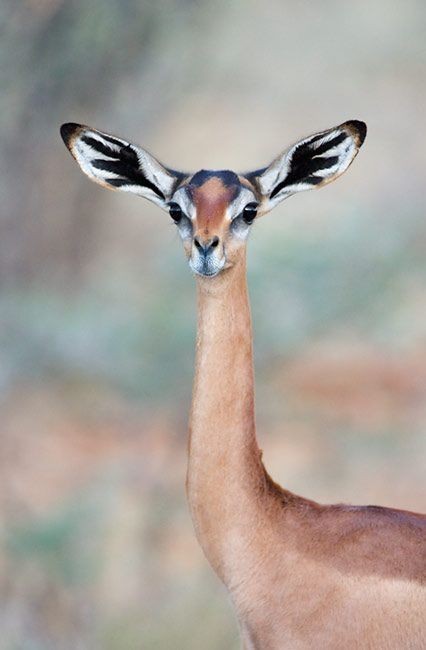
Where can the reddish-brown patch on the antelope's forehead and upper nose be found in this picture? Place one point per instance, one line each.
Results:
(211, 200)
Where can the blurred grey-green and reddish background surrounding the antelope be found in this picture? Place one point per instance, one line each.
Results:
(97, 309)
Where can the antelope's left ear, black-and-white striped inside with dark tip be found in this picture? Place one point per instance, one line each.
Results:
(119, 165)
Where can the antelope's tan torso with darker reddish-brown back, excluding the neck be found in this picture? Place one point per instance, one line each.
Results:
(344, 577)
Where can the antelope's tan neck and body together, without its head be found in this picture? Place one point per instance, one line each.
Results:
(300, 574)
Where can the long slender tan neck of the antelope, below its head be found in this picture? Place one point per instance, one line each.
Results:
(225, 473)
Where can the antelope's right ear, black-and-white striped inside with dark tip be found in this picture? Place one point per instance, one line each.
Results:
(312, 162)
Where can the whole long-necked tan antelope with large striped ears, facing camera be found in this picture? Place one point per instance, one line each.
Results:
(300, 574)
